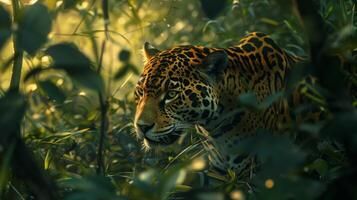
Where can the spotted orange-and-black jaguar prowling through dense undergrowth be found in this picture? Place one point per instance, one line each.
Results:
(196, 86)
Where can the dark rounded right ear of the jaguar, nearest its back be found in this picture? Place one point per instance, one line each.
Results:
(215, 63)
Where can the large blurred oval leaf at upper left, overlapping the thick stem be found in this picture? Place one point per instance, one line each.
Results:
(34, 26)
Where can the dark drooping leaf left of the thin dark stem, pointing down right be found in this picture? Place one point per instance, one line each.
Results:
(67, 57)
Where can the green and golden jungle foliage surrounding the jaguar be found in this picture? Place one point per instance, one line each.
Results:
(67, 71)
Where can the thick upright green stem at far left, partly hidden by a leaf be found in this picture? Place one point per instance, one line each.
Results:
(18, 53)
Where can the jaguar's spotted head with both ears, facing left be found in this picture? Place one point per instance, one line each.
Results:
(177, 90)
